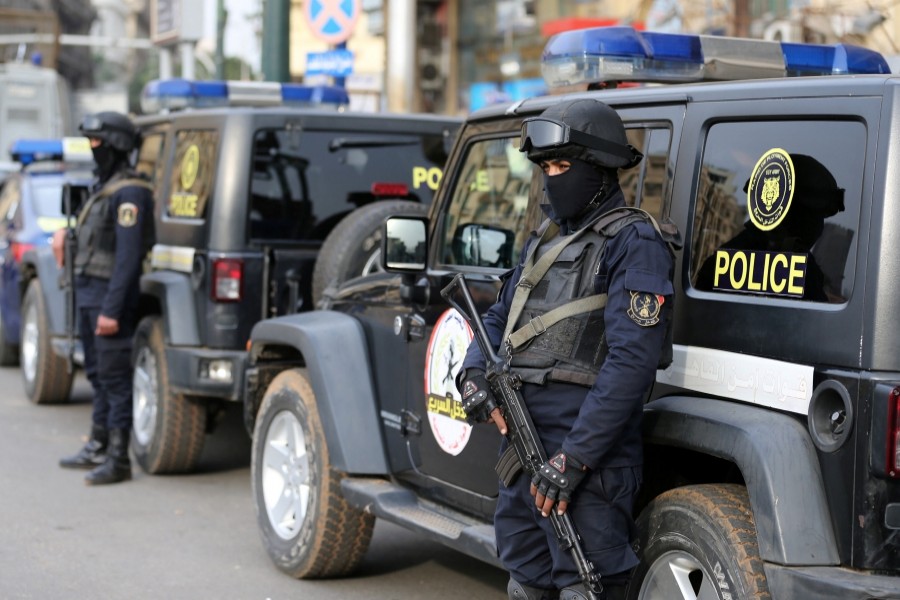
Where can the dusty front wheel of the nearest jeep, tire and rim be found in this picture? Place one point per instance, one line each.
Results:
(308, 529)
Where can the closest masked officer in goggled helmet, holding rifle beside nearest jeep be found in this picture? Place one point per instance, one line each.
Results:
(585, 377)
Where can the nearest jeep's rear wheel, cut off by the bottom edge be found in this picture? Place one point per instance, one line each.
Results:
(699, 542)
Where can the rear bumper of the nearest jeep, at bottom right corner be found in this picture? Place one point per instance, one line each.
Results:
(829, 583)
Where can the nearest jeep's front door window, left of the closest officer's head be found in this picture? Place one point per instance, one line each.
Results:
(484, 225)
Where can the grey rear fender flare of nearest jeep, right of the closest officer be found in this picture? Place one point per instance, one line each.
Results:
(777, 460)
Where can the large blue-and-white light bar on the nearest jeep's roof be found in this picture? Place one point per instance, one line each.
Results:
(617, 54)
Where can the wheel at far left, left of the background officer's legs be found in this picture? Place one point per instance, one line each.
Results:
(45, 375)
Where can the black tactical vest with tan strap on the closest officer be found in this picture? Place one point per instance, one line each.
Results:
(556, 330)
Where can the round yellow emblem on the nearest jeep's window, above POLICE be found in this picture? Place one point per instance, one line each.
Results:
(770, 189)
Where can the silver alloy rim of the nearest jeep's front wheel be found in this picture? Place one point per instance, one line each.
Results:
(285, 475)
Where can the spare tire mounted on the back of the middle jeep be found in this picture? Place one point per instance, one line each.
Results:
(353, 248)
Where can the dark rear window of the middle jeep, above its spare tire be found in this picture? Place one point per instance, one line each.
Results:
(304, 181)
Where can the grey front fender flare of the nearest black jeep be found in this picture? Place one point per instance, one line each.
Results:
(336, 358)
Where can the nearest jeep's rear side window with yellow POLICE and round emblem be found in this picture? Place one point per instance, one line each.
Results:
(777, 209)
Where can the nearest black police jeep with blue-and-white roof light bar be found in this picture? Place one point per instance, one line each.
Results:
(772, 441)
